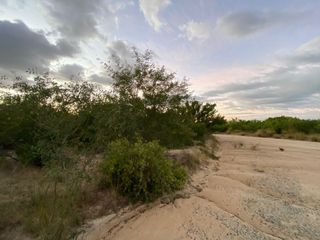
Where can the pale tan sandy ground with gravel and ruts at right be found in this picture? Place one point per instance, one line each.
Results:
(264, 189)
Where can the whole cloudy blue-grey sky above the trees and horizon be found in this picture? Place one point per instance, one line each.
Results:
(254, 59)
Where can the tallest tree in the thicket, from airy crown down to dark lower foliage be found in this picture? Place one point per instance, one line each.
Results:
(151, 97)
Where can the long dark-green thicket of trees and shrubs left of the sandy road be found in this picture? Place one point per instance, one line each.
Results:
(40, 118)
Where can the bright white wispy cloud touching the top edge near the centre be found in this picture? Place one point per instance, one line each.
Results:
(151, 10)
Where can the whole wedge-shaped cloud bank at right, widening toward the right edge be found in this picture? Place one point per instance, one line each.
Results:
(292, 84)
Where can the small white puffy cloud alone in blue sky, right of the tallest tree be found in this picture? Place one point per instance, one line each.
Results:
(196, 30)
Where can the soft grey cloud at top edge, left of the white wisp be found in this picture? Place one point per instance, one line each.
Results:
(78, 20)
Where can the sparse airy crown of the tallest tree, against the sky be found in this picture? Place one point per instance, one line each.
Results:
(143, 81)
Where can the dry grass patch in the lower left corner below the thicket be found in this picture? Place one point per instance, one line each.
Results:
(51, 203)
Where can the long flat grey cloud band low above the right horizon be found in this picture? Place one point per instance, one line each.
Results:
(285, 90)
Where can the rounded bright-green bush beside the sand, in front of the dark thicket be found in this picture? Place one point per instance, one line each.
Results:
(141, 171)
